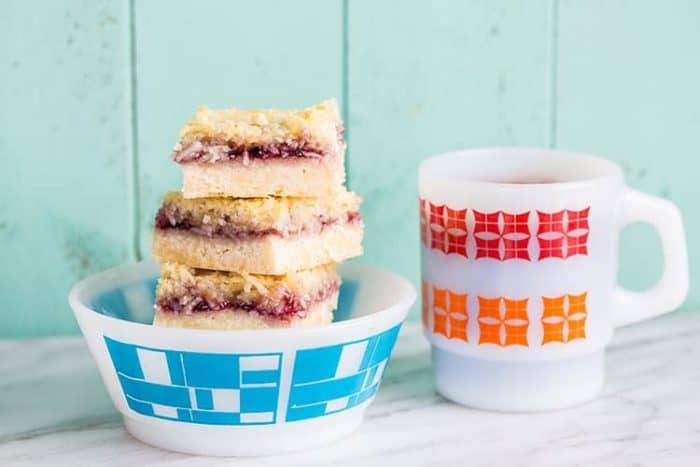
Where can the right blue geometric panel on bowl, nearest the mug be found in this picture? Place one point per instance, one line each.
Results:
(335, 378)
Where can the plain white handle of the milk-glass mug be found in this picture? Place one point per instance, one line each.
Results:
(667, 294)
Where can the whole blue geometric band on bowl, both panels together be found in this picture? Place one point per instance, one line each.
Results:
(244, 389)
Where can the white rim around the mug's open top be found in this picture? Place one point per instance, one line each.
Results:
(603, 170)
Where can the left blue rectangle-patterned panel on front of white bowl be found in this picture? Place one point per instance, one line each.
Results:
(213, 389)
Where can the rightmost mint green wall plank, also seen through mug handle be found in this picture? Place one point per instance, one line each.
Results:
(628, 75)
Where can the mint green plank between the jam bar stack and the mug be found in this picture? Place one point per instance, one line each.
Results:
(430, 77)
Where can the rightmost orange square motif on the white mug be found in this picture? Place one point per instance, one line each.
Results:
(564, 318)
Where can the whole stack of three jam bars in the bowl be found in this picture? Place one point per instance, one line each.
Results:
(253, 239)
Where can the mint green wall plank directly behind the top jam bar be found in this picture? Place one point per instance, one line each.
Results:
(221, 54)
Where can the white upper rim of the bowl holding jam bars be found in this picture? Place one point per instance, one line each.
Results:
(396, 312)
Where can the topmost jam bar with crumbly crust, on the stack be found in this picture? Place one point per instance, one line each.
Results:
(255, 153)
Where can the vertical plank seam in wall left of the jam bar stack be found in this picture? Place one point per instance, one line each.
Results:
(134, 188)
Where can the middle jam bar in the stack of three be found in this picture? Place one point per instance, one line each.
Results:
(258, 235)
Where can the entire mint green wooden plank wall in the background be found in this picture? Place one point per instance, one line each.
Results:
(92, 94)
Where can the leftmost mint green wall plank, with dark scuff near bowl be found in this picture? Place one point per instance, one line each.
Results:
(64, 212)
